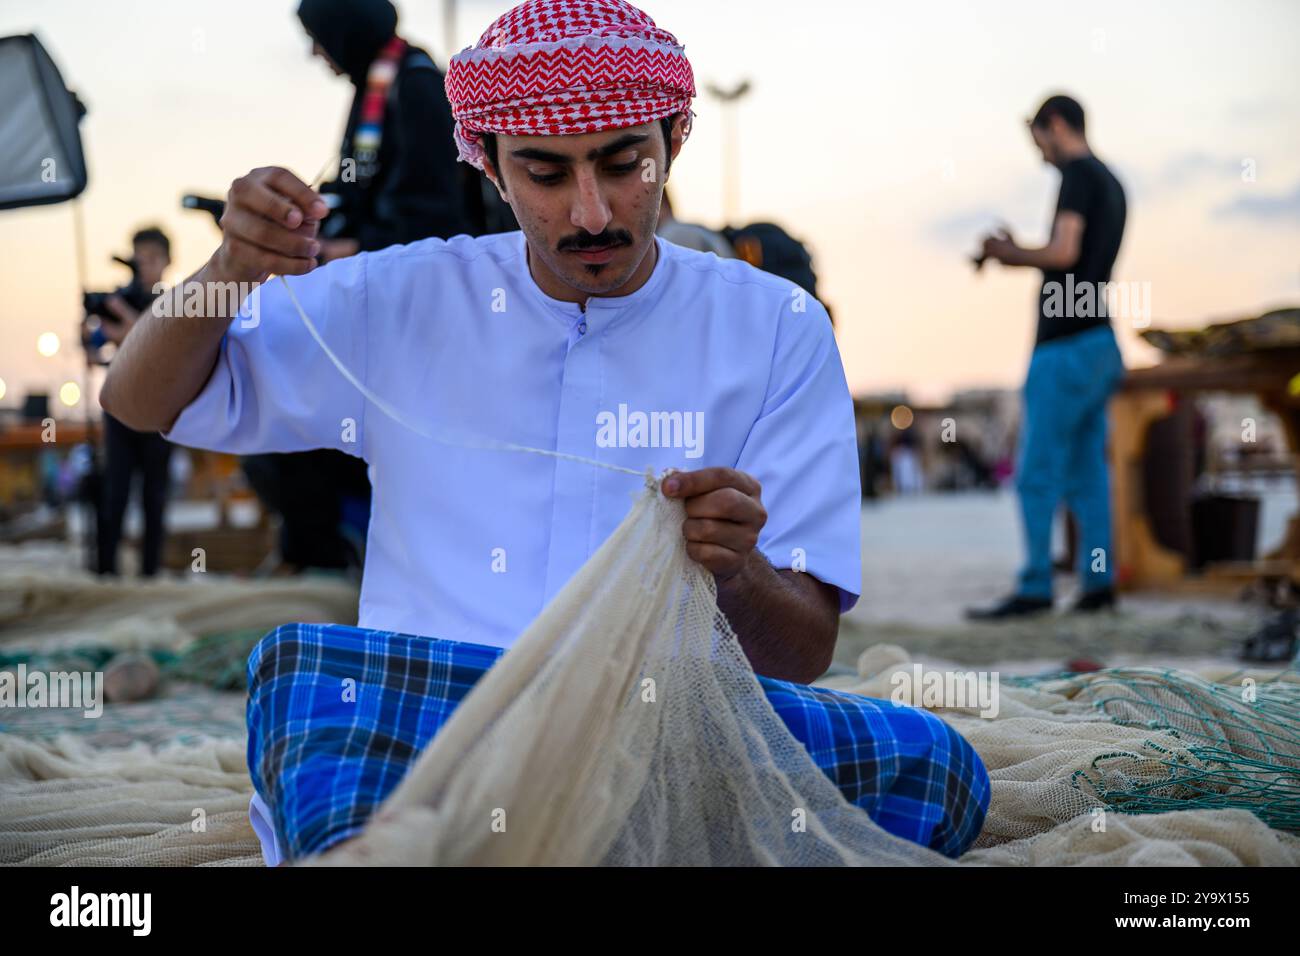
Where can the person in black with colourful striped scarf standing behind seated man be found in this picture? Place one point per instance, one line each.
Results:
(398, 181)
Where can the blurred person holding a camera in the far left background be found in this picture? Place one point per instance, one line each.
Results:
(110, 319)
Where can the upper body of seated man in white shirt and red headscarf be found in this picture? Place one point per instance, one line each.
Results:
(583, 335)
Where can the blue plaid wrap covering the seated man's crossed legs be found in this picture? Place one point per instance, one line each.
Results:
(326, 752)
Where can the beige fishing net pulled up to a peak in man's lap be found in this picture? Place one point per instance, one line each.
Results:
(625, 728)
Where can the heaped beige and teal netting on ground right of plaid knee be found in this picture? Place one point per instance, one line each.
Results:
(1056, 749)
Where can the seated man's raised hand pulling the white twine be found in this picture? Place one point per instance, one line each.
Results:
(270, 227)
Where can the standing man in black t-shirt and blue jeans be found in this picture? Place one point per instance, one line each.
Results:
(1074, 371)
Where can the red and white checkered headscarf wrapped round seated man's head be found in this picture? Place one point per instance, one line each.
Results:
(567, 67)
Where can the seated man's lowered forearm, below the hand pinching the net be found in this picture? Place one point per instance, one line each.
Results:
(787, 621)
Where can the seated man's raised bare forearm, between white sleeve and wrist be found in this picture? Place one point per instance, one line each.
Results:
(168, 358)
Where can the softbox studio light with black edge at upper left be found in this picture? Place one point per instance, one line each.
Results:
(41, 155)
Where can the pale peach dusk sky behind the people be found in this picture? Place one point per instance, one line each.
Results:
(886, 136)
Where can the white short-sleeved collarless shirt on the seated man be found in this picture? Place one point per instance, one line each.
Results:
(710, 364)
